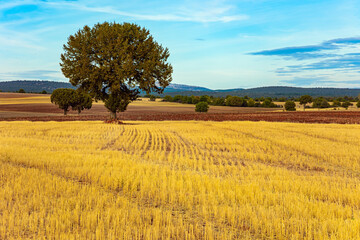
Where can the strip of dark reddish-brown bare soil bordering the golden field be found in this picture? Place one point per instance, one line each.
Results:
(342, 117)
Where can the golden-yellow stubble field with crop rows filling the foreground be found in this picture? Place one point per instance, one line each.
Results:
(179, 180)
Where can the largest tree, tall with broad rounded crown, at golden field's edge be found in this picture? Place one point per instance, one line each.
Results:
(113, 62)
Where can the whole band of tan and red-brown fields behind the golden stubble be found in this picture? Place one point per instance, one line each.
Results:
(37, 107)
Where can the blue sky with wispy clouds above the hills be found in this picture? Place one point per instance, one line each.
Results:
(216, 44)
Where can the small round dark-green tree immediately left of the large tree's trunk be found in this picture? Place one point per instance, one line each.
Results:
(66, 98)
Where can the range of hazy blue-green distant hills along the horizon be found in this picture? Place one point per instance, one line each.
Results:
(181, 89)
